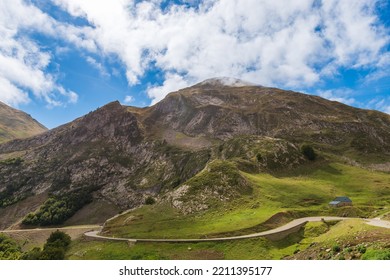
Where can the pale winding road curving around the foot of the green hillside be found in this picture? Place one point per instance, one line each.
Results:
(293, 224)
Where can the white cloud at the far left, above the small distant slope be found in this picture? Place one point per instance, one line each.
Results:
(23, 63)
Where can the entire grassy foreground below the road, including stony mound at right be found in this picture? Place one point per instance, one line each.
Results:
(316, 240)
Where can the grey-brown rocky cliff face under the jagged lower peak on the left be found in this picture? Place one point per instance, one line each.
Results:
(103, 154)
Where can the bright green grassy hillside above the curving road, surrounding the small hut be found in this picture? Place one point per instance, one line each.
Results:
(305, 193)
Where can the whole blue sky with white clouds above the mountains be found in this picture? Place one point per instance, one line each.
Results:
(60, 59)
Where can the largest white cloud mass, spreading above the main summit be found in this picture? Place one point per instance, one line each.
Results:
(280, 43)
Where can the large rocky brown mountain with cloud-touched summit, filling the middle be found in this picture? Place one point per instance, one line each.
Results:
(189, 151)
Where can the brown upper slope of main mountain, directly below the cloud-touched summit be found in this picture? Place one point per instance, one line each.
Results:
(222, 112)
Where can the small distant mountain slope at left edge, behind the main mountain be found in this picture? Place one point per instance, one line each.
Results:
(17, 124)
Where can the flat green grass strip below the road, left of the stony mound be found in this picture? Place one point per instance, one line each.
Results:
(257, 248)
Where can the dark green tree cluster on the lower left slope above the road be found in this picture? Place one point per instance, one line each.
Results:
(57, 209)
